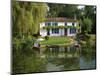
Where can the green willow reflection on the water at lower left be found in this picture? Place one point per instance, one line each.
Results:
(25, 64)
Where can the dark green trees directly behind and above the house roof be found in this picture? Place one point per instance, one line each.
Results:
(59, 10)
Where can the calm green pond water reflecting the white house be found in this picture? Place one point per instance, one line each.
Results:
(54, 59)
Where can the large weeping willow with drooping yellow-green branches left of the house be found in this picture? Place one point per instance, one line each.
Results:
(27, 17)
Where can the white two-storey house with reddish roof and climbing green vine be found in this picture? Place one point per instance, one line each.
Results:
(59, 27)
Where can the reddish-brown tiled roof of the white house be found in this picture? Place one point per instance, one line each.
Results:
(60, 20)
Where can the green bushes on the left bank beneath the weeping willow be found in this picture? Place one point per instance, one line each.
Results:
(23, 44)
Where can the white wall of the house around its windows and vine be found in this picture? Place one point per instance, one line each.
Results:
(43, 32)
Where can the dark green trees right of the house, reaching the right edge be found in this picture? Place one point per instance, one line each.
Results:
(88, 12)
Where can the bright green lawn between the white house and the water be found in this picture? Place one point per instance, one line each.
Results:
(61, 40)
